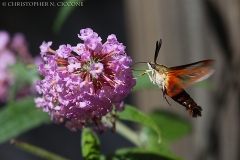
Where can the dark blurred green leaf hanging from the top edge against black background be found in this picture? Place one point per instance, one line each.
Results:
(63, 14)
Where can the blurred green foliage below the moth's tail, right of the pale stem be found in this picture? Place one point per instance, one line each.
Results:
(173, 128)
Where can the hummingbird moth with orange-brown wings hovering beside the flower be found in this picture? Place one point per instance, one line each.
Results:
(172, 80)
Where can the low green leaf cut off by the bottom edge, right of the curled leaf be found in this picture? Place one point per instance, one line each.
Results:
(139, 154)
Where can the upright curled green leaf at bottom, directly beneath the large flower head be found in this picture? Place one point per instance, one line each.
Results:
(90, 145)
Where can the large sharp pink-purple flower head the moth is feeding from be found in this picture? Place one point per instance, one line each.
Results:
(82, 83)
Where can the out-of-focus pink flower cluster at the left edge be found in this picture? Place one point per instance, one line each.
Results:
(10, 49)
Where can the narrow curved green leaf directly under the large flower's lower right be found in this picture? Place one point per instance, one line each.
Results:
(130, 113)
